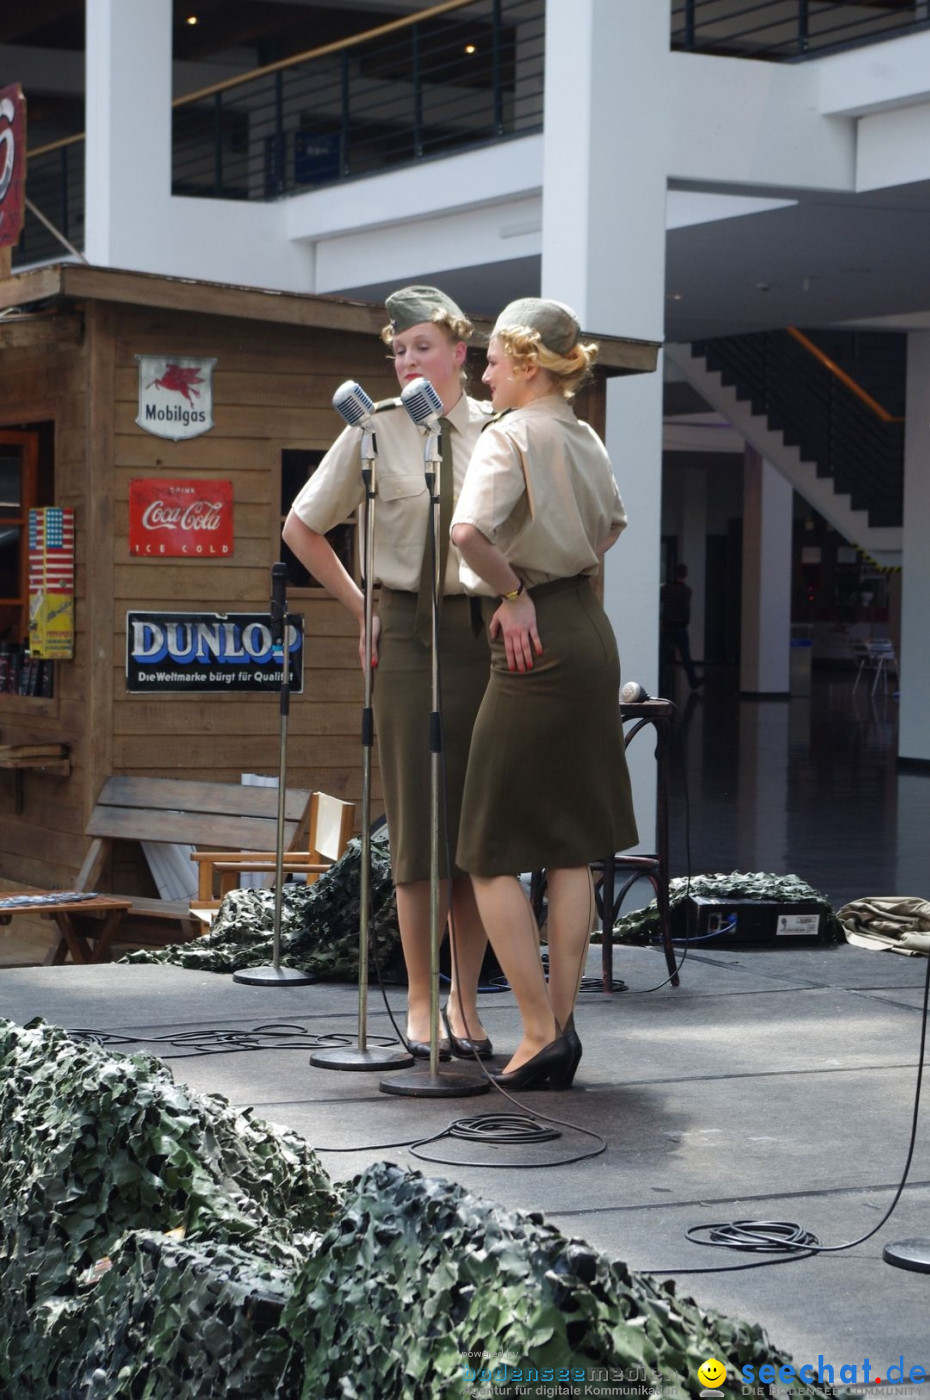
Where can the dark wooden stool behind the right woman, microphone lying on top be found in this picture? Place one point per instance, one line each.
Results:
(631, 869)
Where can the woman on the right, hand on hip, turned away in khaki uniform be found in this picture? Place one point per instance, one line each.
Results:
(547, 780)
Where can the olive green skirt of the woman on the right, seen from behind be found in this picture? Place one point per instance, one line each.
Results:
(547, 783)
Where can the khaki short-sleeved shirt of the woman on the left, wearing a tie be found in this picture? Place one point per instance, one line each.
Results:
(335, 491)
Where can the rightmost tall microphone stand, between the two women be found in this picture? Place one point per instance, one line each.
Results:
(435, 1083)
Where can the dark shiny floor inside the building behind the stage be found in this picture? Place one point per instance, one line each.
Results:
(807, 787)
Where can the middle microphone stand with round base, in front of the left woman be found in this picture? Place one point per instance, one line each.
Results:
(365, 1056)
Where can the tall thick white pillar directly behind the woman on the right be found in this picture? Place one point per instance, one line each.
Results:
(604, 253)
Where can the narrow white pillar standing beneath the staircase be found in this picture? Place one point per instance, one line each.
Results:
(765, 635)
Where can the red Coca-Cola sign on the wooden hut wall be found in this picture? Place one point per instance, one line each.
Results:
(191, 520)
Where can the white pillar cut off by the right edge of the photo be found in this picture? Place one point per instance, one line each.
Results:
(914, 733)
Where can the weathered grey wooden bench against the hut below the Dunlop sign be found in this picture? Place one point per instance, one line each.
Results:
(215, 815)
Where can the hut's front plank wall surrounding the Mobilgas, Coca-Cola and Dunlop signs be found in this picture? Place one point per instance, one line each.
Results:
(272, 391)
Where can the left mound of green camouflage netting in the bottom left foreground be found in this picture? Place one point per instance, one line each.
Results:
(96, 1146)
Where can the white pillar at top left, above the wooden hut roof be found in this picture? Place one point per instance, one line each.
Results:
(128, 150)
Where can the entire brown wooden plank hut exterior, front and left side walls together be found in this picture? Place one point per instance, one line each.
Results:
(272, 391)
